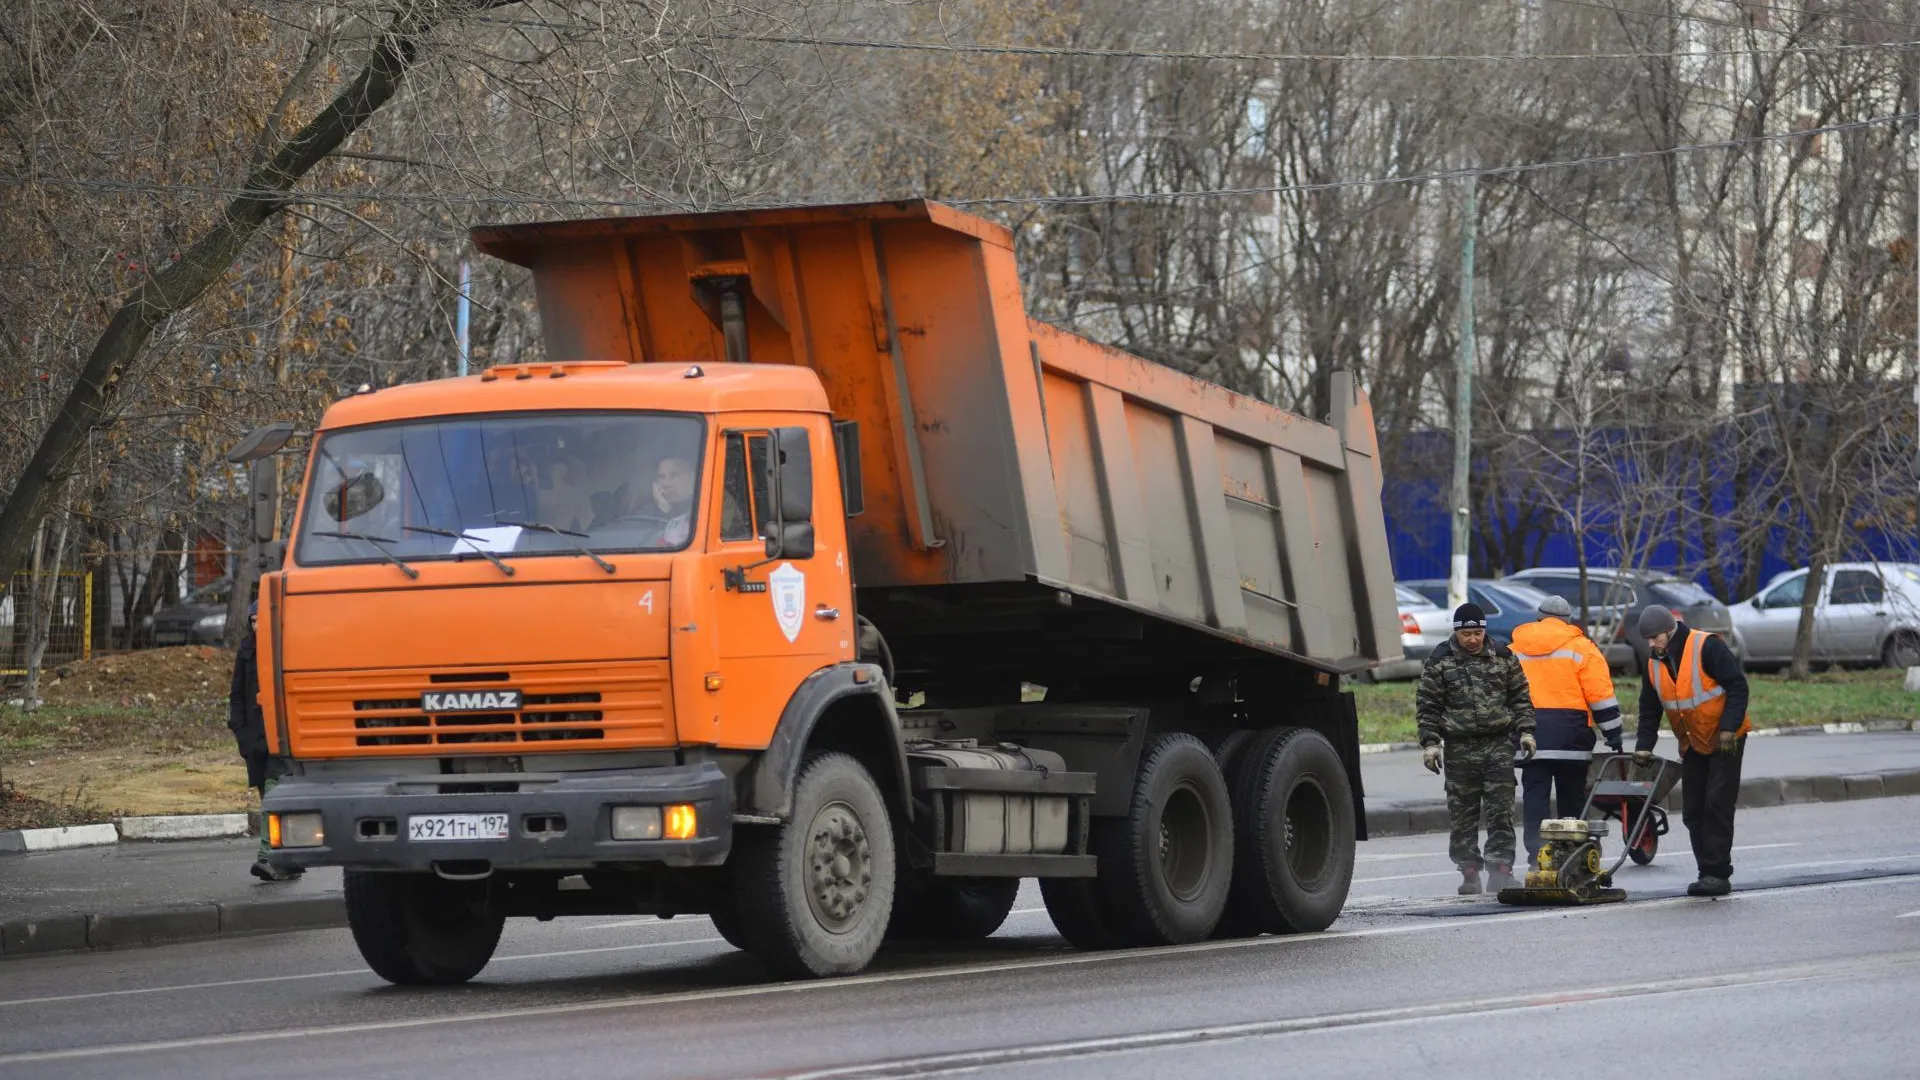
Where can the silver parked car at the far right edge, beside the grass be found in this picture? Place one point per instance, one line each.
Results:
(1865, 614)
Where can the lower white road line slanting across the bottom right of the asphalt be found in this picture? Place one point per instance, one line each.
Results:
(971, 1062)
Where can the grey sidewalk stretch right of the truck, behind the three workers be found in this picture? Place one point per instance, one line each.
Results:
(1406, 798)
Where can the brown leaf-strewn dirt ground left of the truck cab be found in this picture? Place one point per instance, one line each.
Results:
(126, 735)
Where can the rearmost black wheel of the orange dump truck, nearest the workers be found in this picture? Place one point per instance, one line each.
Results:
(1293, 823)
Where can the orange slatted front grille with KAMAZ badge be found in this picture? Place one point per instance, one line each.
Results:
(606, 706)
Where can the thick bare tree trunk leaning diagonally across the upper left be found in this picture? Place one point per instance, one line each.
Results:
(204, 264)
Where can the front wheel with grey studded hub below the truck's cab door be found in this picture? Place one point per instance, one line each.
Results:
(819, 891)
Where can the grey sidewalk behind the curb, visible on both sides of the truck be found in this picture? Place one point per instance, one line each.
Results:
(143, 895)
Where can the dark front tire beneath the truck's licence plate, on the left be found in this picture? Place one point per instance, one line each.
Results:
(421, 929)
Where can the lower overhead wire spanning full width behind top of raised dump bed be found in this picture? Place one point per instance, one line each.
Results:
(588, 203)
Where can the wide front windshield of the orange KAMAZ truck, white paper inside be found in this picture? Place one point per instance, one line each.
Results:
(510, 485)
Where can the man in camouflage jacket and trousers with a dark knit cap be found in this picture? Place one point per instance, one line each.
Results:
(1476, 718)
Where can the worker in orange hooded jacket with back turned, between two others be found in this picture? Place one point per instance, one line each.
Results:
(1573, 700)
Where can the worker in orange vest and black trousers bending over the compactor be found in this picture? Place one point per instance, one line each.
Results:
(1698, 685)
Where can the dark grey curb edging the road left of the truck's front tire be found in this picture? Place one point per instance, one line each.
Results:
(166, 925)
